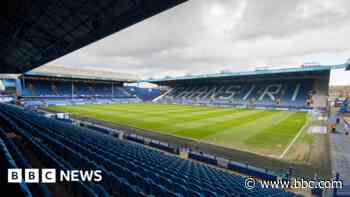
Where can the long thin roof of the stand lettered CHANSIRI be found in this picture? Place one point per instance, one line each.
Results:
(296, 71)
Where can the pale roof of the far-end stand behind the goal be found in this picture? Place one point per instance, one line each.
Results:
(59, 71)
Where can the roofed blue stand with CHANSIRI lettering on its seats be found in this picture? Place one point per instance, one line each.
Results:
(302, 88)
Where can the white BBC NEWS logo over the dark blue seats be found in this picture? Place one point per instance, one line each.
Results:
(16, 175)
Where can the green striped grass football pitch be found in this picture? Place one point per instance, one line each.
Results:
(261, 131)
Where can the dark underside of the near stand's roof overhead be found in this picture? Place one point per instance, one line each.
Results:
(33, 33)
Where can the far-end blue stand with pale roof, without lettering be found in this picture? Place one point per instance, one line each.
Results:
(86, 86)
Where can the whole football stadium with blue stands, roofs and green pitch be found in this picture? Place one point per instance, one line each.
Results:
(73, 131)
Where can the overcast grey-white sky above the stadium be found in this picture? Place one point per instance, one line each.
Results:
(203, 36)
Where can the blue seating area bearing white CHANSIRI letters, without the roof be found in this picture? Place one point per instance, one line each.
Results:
(274, 93)
